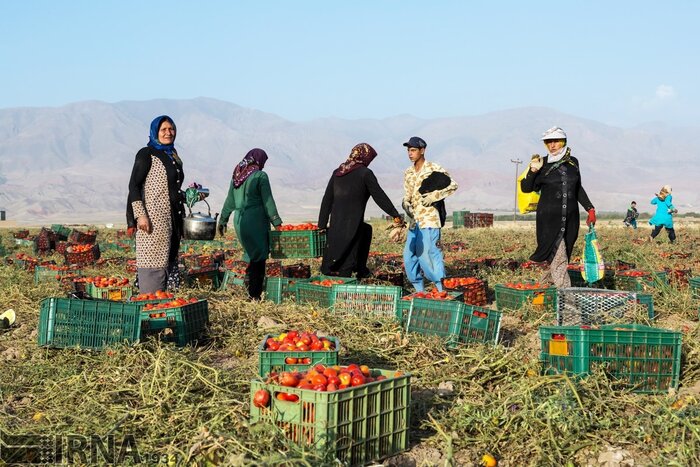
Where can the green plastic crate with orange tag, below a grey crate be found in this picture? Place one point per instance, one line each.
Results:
(642, 358)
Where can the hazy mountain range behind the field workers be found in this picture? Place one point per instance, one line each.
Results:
(72, 163)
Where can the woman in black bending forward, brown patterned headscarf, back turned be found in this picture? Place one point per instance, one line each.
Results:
(349, 237)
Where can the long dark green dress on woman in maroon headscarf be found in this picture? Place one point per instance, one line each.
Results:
(255, 210)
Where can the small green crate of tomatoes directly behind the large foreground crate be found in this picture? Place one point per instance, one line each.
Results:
(295, 351)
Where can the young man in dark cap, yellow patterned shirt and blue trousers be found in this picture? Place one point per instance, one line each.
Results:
(421, 255)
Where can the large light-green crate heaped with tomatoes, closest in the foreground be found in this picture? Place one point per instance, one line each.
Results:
(358, 414)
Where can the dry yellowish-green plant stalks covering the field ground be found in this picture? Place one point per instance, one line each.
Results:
(191, 405)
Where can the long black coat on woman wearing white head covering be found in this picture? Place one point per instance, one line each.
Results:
(557, 211)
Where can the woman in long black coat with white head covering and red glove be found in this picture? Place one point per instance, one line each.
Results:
(558, 179)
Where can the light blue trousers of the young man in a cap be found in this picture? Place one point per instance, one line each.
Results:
(422, 257)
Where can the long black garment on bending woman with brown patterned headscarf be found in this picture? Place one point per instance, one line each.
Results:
(344, 202)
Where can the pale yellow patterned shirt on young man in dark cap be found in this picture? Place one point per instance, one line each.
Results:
(417, 206)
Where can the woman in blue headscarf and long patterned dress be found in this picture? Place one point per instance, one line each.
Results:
(155, 206)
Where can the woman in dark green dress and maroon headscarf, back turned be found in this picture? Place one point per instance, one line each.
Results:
(250, 197)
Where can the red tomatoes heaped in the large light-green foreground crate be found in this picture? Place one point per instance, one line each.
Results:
(318, 378)
